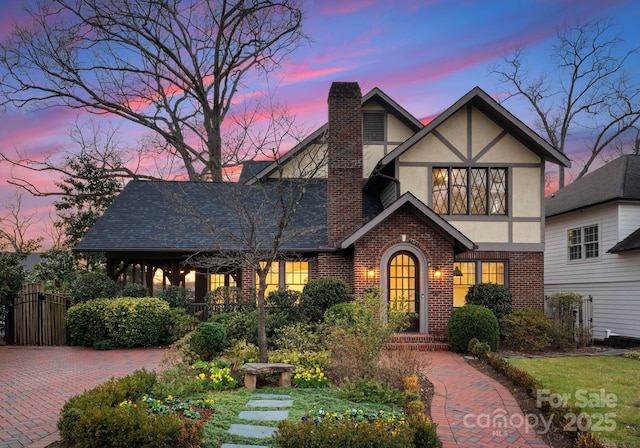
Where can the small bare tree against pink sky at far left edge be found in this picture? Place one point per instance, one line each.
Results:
(15, 226)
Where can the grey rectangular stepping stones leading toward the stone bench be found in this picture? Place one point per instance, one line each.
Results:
(260, 431)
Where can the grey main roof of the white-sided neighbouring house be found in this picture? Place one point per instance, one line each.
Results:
(617, 180)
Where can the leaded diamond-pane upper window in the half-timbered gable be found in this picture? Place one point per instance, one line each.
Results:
(469, 191)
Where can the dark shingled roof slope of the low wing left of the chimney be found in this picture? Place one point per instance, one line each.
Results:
(186, 217)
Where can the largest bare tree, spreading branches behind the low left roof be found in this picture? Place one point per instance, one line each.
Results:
(174, 67)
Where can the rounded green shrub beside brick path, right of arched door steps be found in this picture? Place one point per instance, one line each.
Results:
(472, 321)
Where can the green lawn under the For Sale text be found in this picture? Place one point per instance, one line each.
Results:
(597, 383)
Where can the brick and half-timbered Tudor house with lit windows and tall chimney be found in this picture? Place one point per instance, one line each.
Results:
(422, 211)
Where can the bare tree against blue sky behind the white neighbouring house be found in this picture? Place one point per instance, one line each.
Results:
(589, 95)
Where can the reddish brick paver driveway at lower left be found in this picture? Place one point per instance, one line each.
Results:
(36, 381)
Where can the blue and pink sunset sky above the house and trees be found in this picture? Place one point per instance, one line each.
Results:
(424, 54)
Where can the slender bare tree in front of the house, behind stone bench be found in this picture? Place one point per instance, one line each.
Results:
(259, 220)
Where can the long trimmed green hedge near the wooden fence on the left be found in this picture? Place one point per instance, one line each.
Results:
(125, 321)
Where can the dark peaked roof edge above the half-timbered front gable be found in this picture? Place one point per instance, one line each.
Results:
(480, 99)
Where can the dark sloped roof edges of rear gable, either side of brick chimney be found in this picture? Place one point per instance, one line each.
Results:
(374, 95)
